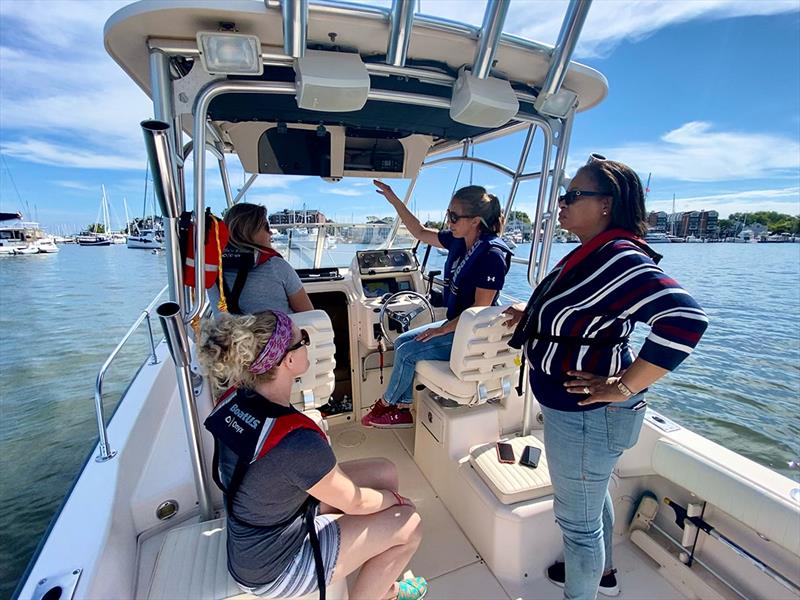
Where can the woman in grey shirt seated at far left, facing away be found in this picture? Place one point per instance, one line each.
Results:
(257, 278)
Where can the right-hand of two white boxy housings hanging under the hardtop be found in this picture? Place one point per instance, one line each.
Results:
(489, 102)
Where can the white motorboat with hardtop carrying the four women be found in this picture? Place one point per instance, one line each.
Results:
(143, 519)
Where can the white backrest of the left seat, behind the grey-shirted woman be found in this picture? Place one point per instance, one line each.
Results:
(315, 386)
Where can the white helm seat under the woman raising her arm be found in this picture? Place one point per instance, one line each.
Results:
(482, 366)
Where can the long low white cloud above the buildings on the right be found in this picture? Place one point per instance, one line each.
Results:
(696, 152)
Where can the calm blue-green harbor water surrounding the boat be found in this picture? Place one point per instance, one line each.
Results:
(61, 315)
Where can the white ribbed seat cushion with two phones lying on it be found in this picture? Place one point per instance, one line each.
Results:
(512, 483)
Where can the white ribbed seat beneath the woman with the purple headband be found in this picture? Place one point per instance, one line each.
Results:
(192, 564)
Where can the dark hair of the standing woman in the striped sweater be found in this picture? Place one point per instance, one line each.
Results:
(622, 183)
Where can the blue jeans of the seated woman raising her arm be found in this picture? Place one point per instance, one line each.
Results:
(407, 351)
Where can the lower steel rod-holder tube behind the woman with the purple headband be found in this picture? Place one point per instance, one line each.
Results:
(169, 313)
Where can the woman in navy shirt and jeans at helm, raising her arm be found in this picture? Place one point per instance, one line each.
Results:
(475, 270)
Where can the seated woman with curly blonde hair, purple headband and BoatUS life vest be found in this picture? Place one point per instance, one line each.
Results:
(296, 520)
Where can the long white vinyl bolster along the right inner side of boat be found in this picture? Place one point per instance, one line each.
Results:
(738, 493)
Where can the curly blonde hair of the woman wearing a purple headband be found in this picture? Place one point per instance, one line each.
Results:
(228, 346)
